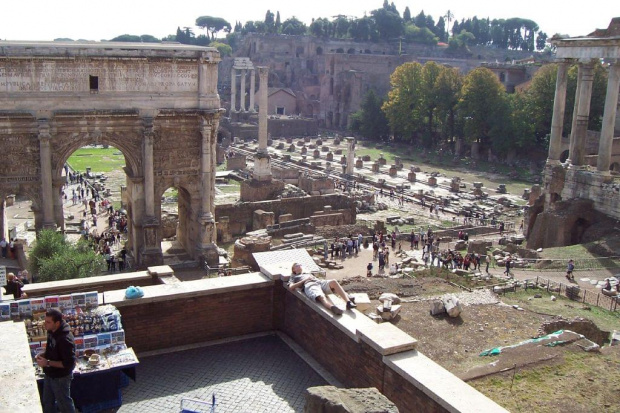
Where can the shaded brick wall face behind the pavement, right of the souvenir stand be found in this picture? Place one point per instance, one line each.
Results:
(187, 320)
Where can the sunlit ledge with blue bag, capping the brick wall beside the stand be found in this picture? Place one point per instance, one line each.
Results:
(189, 289)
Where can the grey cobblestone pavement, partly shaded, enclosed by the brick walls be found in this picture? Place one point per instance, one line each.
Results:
(256, 375)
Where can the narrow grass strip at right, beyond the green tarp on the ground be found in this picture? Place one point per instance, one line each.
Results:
(604, 319)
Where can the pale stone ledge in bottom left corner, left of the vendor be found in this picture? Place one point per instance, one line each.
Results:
(18, 392)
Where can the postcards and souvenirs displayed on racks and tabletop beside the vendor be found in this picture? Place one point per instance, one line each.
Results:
(96, 329)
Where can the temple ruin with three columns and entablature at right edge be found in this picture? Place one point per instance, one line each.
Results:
(584, 189)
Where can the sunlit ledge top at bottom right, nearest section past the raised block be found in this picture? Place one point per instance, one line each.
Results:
(439, 384)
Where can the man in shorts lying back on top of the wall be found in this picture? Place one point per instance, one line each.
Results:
(317, 289)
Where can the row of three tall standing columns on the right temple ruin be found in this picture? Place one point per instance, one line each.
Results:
(581, 113)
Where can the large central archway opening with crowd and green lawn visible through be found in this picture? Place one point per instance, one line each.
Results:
(94, 203)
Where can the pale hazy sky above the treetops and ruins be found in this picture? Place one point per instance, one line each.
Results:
(82, 19)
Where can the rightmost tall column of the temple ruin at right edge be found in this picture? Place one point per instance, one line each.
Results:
(609, 118)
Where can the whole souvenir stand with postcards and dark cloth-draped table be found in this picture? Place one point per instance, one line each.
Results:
(104, 362)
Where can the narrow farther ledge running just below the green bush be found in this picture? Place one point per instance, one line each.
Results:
(87, 284)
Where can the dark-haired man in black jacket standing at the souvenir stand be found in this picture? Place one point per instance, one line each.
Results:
(57, 361)
